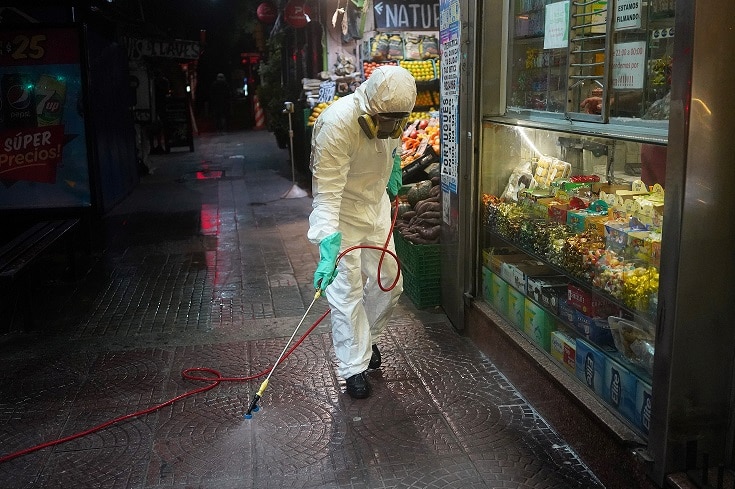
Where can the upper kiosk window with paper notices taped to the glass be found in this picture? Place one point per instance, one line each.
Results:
(580, 60)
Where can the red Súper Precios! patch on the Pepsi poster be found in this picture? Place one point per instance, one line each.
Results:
(31, 155)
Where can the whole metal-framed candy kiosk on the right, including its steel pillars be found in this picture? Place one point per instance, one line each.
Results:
(593, 212)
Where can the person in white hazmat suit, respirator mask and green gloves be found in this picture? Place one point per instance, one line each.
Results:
(355, 158)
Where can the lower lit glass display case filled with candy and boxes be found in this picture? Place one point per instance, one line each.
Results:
(570, 240)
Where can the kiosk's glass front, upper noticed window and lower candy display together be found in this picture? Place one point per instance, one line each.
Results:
(571, 181)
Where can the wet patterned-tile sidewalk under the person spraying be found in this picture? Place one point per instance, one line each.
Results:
(205, 265)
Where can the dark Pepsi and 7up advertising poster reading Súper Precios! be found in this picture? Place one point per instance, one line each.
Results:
(43, 150)
